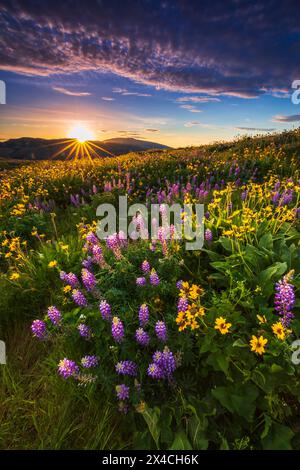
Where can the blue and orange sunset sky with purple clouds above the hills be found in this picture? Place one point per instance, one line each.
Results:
(176, 72)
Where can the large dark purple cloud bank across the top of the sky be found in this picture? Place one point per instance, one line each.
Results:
(217, 49)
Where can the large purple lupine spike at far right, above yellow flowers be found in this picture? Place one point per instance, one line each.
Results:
(285, 299)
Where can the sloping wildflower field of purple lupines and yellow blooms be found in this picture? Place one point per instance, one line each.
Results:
(123, 344)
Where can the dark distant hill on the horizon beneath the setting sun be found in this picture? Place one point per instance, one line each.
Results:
(28, 148)
